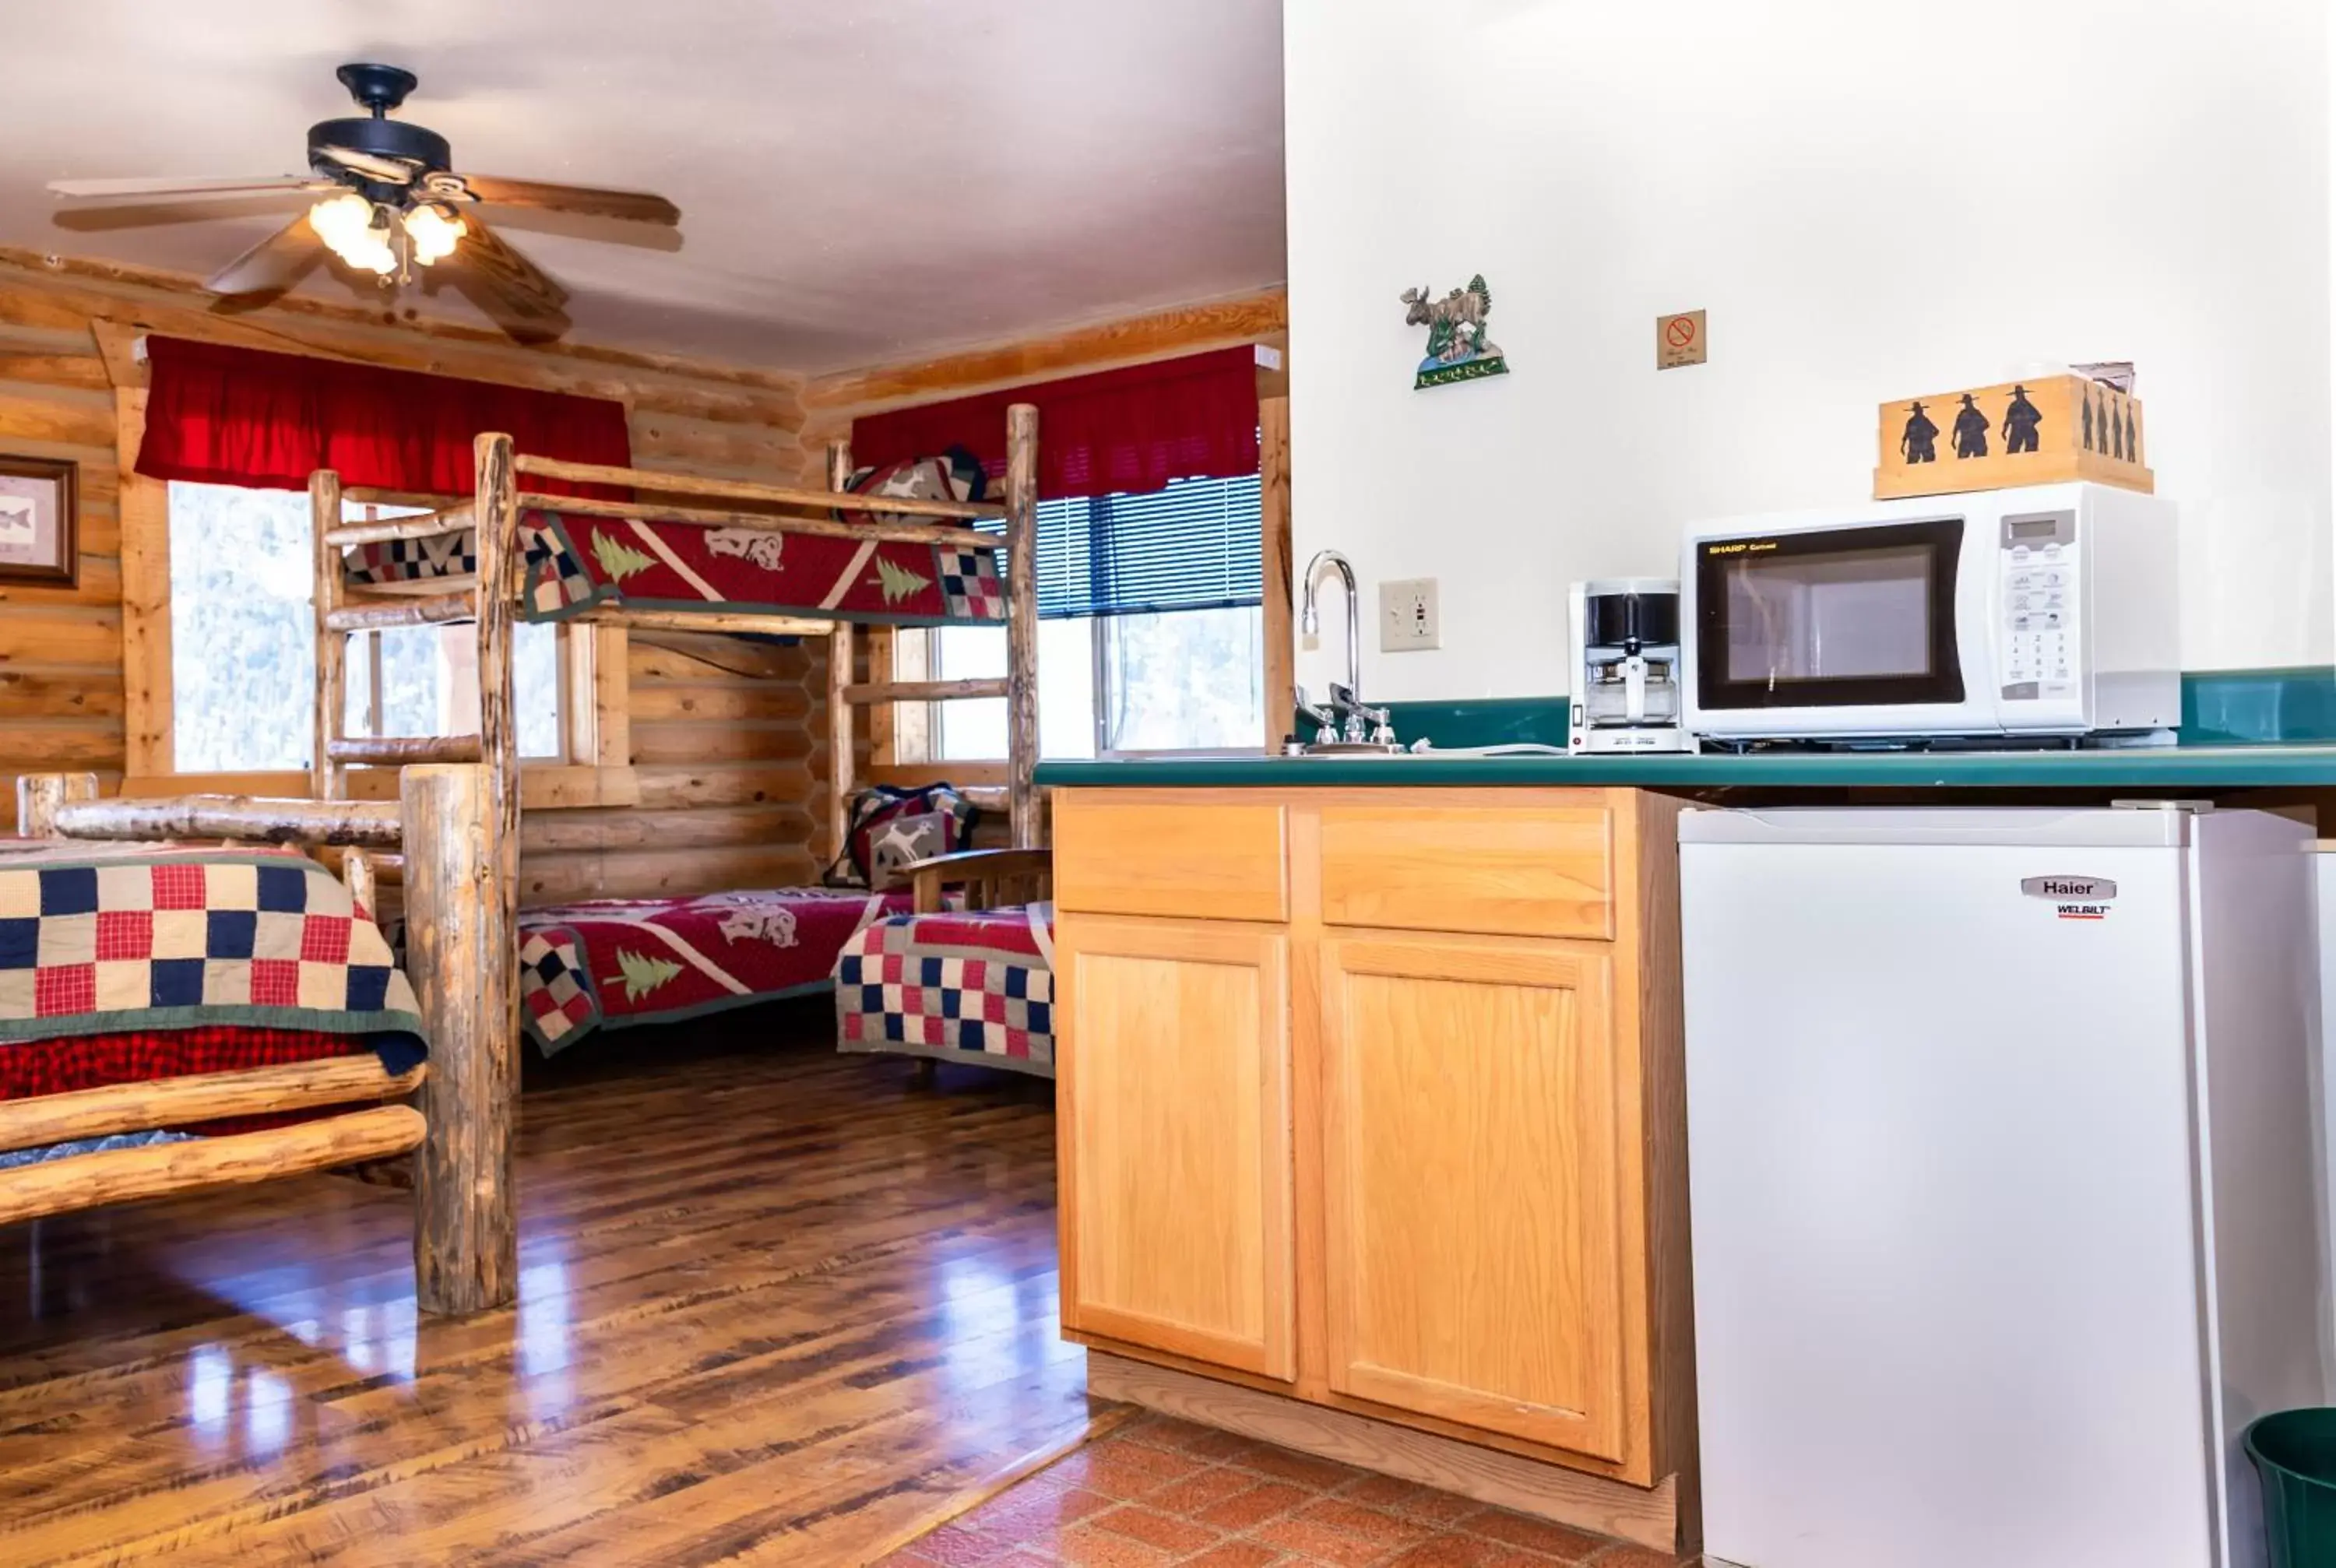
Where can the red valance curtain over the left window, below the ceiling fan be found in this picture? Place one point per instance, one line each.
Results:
(258, 419)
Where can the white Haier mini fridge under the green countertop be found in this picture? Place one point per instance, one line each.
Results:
(2003, 1181)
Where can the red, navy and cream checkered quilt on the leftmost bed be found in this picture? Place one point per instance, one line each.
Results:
(137, 938)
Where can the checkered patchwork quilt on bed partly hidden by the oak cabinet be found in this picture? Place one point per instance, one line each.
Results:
(957, 987)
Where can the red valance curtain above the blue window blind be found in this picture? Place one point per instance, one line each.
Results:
(1115, 431)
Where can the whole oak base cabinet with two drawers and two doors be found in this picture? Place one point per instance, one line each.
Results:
(1372, 1099)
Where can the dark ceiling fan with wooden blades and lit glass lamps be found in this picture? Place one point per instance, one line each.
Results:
(384, 200)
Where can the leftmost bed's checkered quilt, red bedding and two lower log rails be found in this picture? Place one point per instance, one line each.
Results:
(181, 1018)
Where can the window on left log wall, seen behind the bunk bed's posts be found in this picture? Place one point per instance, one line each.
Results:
(244, 646)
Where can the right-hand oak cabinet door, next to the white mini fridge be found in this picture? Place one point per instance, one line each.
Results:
(1473, 1202)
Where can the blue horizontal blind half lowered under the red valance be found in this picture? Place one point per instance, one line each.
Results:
(1193, 546)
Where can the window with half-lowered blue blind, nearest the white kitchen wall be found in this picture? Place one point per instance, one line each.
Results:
(1150, 634)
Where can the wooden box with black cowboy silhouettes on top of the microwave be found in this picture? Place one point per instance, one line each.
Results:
(1991, 438)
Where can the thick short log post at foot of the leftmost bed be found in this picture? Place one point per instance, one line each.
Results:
(461, 952)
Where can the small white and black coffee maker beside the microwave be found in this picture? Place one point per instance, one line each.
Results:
(1625, 644)
